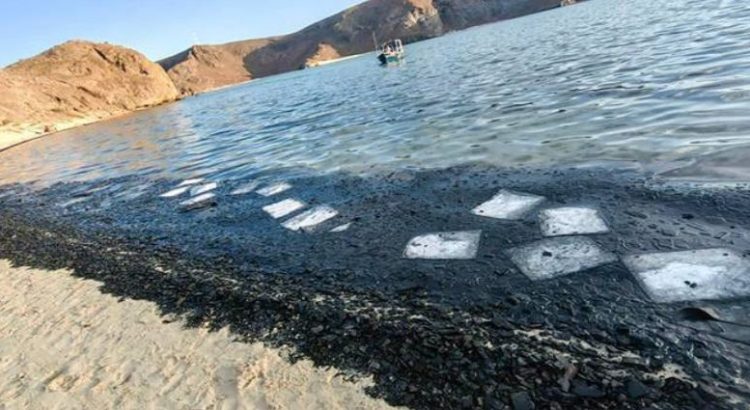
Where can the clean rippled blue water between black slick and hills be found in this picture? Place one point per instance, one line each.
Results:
(663, 83)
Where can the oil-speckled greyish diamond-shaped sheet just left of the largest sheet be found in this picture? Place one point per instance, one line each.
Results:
(550, 258)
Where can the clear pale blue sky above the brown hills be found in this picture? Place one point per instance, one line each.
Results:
(157, 28)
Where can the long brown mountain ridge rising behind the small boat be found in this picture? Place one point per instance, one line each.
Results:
(346, 33)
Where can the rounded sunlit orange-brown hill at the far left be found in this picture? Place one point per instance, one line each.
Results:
(77, 83)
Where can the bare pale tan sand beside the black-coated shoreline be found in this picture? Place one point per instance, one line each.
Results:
(66, 345)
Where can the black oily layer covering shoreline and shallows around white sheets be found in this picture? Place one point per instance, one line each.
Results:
(433, 335)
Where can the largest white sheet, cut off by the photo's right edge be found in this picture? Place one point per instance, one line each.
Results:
(706, 274)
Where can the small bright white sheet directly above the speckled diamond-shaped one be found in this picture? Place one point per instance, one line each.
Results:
(572, 221)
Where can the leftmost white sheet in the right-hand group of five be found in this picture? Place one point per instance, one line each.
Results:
(444, 245)
